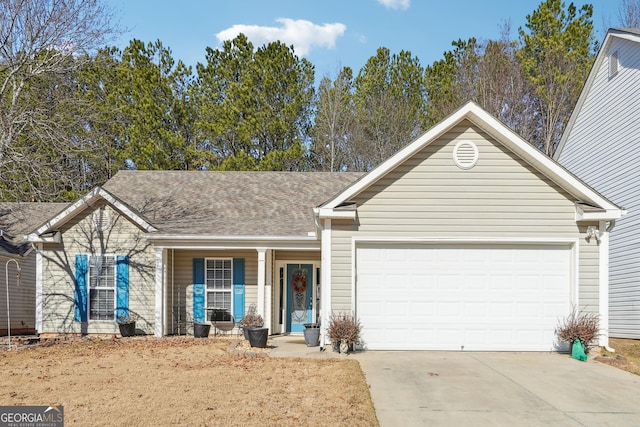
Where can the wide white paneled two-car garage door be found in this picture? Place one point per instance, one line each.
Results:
(462, 297)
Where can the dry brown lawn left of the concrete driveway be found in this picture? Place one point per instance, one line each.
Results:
(183, 381)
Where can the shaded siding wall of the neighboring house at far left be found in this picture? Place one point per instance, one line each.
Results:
(22, 299)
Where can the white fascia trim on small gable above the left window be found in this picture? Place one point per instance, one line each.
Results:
(82, 204)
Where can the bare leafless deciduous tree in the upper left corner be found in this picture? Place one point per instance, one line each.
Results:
(42, 42)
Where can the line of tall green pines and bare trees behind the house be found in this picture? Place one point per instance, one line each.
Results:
(74, 113)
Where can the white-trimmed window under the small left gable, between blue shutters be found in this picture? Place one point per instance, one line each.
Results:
(102, 287)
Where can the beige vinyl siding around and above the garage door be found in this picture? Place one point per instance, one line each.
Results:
(429, 197)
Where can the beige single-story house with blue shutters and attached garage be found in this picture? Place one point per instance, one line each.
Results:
(468, 238)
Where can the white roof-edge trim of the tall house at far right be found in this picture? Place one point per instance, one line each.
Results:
(631, 34)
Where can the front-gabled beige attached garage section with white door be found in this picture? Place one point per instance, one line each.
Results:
(468, 238)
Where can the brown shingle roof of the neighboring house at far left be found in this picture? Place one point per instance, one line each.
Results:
(18, 219)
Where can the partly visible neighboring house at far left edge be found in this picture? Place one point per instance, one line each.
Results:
(16, 220)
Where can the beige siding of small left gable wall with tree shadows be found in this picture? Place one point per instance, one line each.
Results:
(79, 237)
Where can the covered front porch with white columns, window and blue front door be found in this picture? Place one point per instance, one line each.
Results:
(282, 284)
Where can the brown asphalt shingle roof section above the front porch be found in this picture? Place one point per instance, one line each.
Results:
(228, 203)
